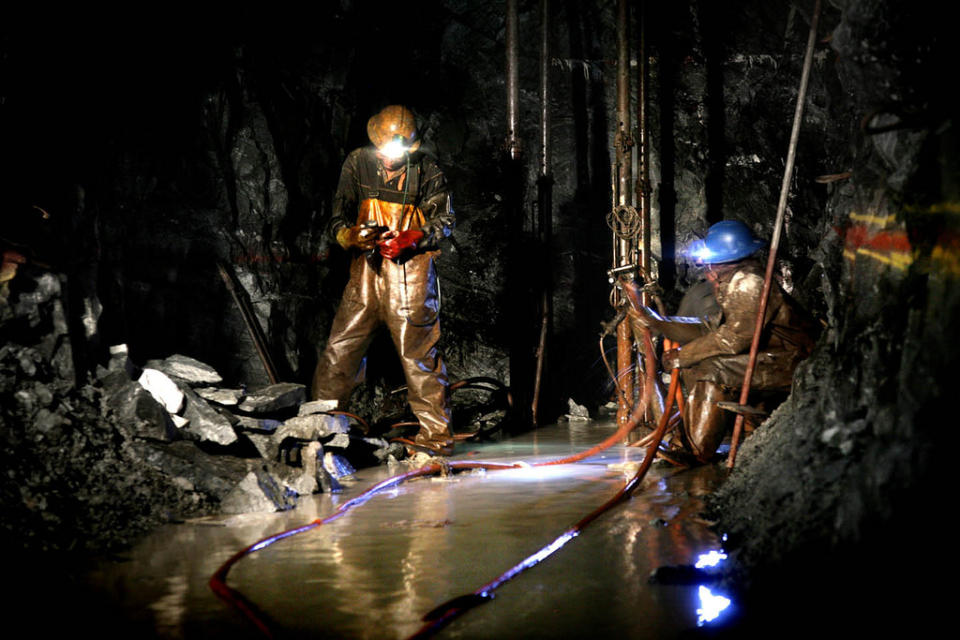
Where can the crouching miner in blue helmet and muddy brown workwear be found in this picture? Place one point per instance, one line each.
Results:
(715, 344)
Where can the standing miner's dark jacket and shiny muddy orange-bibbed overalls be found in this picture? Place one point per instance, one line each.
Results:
(404, 297)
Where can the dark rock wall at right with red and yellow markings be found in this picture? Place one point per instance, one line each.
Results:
(830, 502)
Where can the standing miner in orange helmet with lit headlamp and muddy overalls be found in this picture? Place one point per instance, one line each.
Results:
(390, 211)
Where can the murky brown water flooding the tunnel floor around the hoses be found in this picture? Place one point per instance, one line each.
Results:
(376, 571)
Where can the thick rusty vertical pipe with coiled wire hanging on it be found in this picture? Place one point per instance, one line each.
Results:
(622, 197)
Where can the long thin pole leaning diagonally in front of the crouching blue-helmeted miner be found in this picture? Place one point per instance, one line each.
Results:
(777, 226)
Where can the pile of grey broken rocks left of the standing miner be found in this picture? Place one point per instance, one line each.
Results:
(90, 465)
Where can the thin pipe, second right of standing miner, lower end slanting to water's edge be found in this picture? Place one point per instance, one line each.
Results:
(545, 203)
